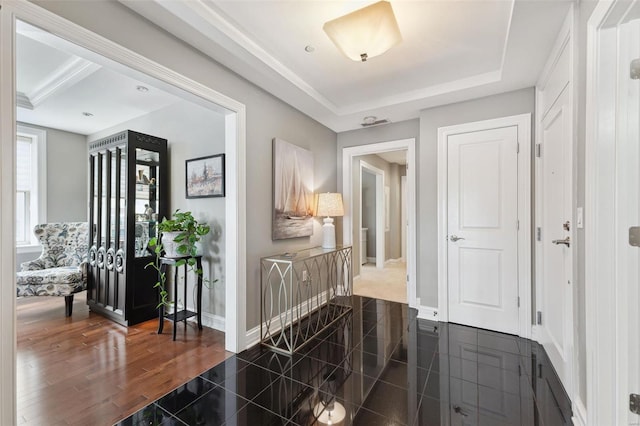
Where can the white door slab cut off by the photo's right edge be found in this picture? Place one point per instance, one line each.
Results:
(628, 213)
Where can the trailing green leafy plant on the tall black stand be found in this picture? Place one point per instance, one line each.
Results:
(190, 232)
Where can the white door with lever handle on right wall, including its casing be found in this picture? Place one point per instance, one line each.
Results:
(555, 204)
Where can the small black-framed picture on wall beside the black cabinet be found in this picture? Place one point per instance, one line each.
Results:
(205, 177)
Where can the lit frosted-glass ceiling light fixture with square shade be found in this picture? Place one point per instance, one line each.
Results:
(366, 32)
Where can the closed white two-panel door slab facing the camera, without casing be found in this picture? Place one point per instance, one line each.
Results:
(482, 206)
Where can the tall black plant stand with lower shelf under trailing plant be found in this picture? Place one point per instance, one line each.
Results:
(180, 315)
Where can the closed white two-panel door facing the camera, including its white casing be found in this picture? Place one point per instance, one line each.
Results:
(478, 198)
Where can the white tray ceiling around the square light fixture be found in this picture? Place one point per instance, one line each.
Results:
(452, 51)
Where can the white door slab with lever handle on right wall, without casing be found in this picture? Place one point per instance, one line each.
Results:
(554, 246)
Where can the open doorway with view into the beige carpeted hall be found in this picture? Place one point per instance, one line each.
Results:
(374, 219)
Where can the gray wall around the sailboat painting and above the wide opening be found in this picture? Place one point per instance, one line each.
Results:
(267, 117)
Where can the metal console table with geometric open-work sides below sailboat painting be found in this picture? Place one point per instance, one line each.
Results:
(302, 294)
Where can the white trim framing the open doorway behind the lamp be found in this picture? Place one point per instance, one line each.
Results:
(348, 221)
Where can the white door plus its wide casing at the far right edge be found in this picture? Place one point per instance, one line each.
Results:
(613, 206)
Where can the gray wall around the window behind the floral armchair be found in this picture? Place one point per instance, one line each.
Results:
(67, 186)
